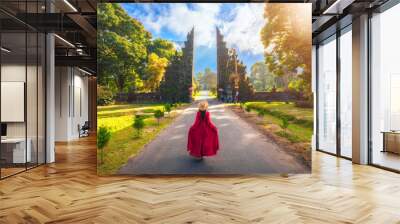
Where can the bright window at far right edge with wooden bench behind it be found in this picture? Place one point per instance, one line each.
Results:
(385, 89)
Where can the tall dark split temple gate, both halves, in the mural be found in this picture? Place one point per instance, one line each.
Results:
(232, 82)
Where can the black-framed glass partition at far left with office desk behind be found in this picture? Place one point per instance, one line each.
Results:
(22, 80)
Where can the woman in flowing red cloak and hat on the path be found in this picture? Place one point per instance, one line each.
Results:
(203, 135)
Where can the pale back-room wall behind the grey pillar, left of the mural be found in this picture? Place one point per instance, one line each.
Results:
(71, 94)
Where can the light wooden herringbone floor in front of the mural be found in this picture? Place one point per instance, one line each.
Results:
(69, 191)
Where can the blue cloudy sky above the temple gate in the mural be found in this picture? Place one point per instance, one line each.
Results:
(240, 24)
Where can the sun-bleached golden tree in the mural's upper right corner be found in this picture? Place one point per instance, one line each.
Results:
(287, 40)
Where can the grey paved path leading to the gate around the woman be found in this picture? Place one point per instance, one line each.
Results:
(243, 149)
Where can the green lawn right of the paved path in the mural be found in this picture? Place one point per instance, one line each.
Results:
(300, 127)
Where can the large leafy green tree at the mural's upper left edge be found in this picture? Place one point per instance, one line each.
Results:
(122, 48)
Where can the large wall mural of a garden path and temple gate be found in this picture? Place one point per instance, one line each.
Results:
(204, 88)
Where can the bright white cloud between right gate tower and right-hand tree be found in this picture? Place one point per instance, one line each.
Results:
(243, 32)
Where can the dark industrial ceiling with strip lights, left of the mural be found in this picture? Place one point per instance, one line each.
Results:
(74, 22)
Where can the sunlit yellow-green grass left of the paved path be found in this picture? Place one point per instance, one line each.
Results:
(124, 143)
